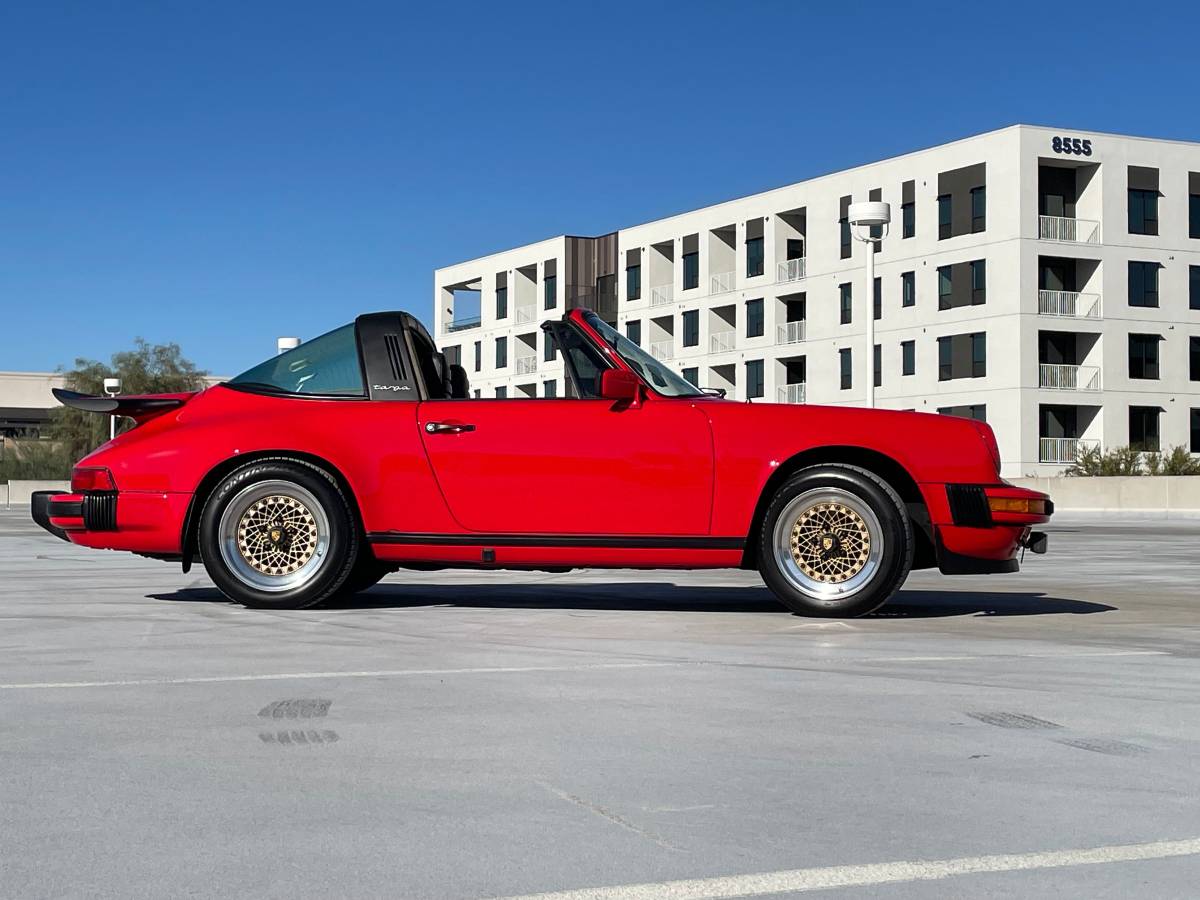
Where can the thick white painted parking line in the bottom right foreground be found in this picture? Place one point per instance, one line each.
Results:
(844, 877)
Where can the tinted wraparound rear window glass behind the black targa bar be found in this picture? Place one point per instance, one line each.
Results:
(327, 365)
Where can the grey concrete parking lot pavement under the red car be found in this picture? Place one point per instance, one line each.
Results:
(484, 735)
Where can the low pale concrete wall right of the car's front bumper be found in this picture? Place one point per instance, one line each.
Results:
(1166, 496)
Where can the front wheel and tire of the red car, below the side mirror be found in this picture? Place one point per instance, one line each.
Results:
(821, 497)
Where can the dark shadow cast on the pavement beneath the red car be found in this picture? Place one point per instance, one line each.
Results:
(665, 597)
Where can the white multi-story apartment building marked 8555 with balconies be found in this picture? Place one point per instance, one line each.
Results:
(1045, 280)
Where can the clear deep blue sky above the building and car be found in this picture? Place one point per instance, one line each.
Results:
(219, 175)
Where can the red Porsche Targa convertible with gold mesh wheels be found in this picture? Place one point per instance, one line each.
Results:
(362, 453)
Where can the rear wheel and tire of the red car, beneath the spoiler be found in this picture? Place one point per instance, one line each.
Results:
(331, 550)
